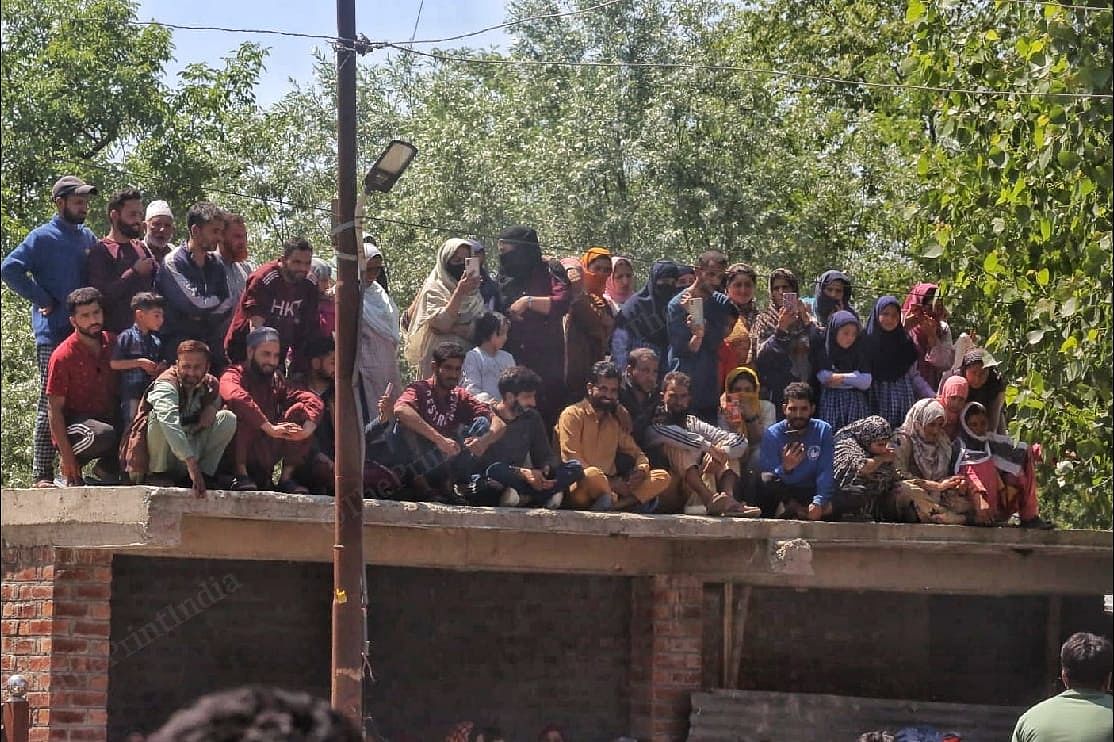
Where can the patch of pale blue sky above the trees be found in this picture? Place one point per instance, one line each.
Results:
(393, 21)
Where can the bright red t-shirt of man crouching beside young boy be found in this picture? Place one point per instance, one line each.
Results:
(84, 378)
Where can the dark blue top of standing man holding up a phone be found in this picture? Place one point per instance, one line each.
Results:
(702, 367)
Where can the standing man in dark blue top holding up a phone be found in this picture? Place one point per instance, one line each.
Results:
(695, 341)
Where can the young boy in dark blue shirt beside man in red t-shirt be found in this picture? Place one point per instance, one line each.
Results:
(138, 353)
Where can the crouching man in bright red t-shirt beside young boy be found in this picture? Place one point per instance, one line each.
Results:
(82, 394)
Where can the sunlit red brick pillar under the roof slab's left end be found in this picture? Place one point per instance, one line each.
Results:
(56, 629)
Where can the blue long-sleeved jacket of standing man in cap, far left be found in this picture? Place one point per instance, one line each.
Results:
(45, 269)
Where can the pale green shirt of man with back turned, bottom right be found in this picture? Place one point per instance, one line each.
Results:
(1074, 716)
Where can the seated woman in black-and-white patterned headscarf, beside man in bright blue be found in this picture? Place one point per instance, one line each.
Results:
(864, 458)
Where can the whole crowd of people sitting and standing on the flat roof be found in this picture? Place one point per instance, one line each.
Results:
(552, 383)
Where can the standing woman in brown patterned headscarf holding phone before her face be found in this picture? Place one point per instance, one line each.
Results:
(781, 333)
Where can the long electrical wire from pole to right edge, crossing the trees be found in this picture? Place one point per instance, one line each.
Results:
(754, 71)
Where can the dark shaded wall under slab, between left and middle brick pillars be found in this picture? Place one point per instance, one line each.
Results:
(519, 651)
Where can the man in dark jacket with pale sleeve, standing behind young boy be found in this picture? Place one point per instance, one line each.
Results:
(194, 285)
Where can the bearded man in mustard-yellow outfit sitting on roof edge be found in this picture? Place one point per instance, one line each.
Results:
(594, 432)
